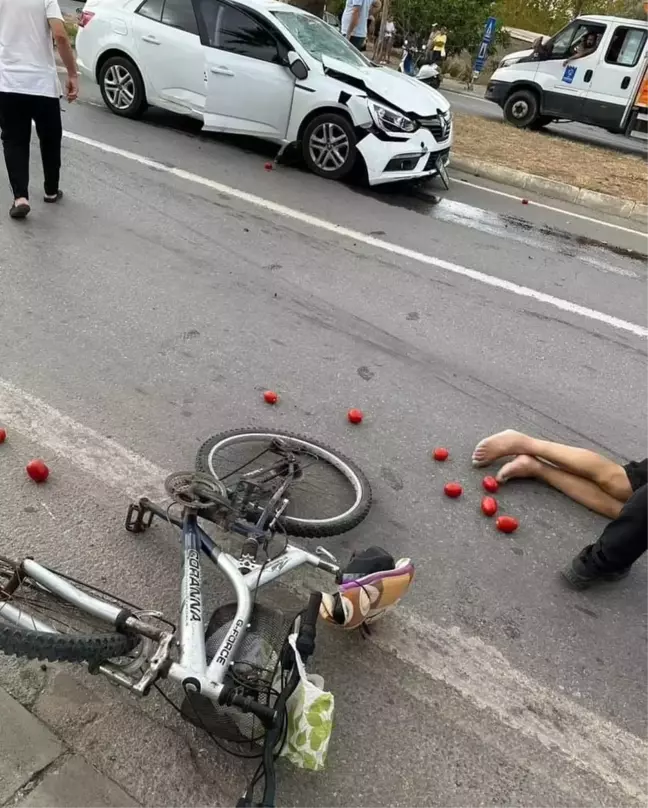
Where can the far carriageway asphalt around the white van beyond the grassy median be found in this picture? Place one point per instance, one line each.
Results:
(473, 103)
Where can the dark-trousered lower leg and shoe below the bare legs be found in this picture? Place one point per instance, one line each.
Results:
(624, 539)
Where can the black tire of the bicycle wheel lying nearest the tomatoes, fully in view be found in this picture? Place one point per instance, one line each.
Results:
(299, 526)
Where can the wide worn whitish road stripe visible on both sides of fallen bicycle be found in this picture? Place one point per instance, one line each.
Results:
(477, 671)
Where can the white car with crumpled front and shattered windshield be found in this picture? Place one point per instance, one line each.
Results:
(269, 70)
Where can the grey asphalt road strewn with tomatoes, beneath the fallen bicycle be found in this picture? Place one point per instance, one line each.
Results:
(152, 306)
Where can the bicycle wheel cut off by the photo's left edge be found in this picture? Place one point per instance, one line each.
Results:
(51, 628)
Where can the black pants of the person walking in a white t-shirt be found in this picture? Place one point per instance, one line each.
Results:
(17, 111)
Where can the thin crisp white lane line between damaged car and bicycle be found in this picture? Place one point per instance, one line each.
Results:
(371, 241)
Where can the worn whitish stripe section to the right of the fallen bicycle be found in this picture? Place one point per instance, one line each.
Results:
(482, 675)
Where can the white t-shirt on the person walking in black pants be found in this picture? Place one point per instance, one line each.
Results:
(27, 63)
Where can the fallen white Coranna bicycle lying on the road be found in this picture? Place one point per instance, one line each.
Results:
(237, 670)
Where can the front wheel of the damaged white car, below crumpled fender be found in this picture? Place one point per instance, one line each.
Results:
(329, 146)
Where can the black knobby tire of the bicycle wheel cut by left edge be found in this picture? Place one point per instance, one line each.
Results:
(31, 644)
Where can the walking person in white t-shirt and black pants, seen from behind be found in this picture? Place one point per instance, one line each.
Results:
(30, 91)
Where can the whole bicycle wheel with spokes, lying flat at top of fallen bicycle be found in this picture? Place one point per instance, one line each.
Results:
(331, 496)
